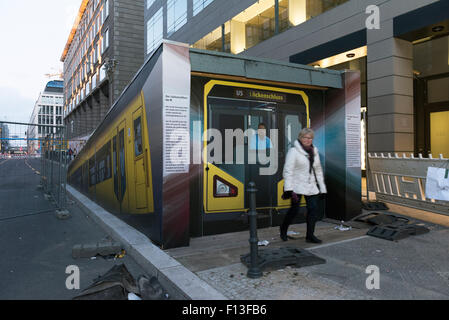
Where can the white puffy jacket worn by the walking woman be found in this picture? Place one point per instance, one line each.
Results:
(297, 177)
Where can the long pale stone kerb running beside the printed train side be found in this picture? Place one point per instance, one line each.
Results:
(177, 280)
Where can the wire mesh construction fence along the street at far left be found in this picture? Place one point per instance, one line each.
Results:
(32, 154)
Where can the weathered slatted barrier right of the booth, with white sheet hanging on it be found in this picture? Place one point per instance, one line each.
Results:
(402, 180)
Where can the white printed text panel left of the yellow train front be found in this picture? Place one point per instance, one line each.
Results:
(176, 120)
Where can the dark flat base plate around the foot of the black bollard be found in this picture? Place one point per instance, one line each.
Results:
(279, 258)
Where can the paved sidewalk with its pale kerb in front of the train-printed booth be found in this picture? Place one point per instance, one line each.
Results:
(210, 269)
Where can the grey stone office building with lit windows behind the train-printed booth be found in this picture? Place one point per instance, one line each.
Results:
(400, 48)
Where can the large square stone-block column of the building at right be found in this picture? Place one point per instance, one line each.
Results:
(390, 92)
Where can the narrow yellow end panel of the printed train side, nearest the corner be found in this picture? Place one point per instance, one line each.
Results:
(140, 172)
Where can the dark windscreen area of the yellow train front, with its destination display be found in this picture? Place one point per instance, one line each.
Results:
(250, 131)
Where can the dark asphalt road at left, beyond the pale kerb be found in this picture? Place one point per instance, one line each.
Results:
(36, 246)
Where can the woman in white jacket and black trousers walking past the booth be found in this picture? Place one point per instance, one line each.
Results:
(303, 175)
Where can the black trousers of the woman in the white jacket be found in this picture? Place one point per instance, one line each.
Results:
(311, 217)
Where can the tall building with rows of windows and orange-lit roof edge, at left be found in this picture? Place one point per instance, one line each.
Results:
(103, 52)
